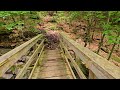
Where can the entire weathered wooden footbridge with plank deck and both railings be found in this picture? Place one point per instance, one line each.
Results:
(70, 60)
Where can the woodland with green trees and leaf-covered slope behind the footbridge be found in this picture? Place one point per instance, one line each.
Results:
(98, 31)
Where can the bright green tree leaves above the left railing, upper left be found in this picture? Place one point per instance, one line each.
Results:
(19, 23)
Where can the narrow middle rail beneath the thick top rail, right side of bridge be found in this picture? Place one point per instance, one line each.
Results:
(80, 73)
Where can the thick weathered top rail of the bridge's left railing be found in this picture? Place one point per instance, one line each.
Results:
(8, 59)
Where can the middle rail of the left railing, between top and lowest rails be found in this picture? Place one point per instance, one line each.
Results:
(24, 69)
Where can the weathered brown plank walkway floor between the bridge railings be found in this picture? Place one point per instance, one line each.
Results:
(54, 67)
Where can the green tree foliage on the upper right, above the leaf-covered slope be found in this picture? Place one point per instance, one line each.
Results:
(109, 21)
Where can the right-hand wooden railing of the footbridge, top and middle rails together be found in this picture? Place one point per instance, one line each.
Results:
(99, 67)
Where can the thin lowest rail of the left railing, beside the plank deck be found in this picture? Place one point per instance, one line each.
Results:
(36, 64)
